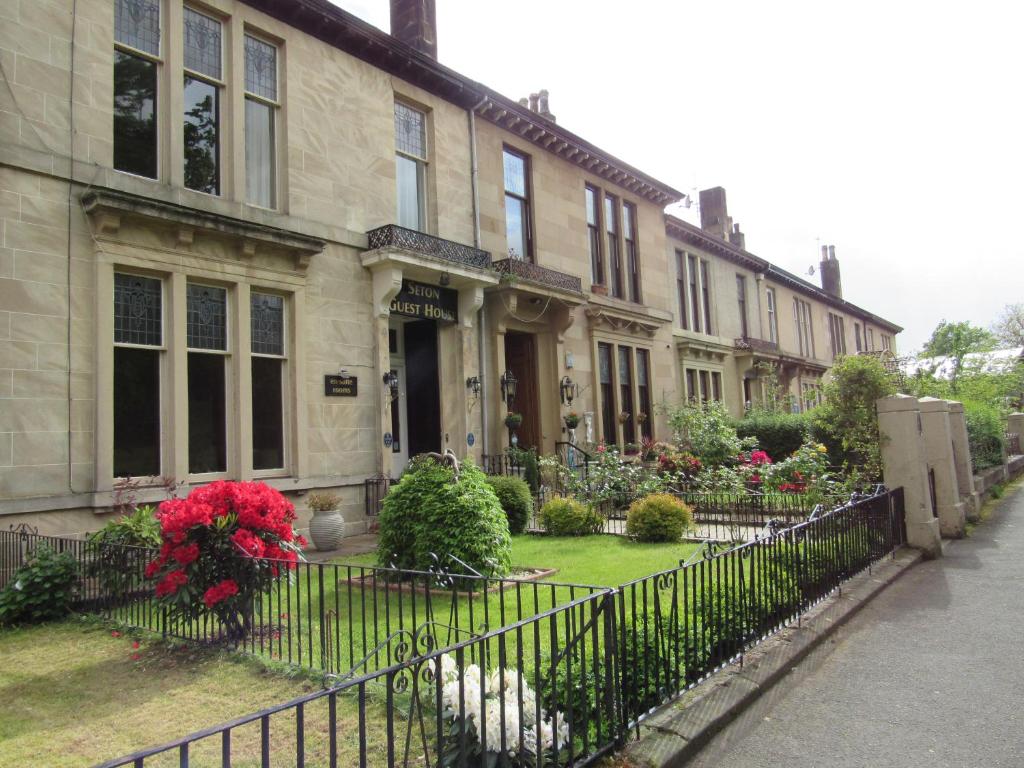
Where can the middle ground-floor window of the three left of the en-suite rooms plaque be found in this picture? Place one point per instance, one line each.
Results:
(206, 334)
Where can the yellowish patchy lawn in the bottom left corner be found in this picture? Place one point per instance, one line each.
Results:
(76, 696)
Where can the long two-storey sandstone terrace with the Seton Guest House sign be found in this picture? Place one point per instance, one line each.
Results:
(263, 239)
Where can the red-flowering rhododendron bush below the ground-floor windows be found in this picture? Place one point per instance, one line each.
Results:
(223, 545)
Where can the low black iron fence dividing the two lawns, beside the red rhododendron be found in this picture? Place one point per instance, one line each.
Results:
(333, 618)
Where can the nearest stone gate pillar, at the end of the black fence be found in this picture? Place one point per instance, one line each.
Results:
(905, 465)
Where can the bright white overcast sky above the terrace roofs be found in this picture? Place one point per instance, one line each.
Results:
(891, 131)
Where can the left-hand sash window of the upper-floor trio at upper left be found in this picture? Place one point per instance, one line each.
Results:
(137, 67)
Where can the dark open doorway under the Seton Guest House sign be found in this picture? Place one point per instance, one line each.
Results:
(413, 347)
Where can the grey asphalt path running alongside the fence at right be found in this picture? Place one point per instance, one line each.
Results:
(930, 674)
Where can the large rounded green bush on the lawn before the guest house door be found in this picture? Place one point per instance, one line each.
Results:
(432, 513)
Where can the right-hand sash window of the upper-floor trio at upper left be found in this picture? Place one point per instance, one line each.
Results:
(262, 117)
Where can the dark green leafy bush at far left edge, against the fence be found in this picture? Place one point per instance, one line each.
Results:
(41, 590)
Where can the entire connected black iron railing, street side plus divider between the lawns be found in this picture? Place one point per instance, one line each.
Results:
(439, 669)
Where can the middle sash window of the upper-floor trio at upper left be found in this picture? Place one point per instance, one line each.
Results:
(203, 83)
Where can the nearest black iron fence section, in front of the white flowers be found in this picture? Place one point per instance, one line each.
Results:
(510, 697)
